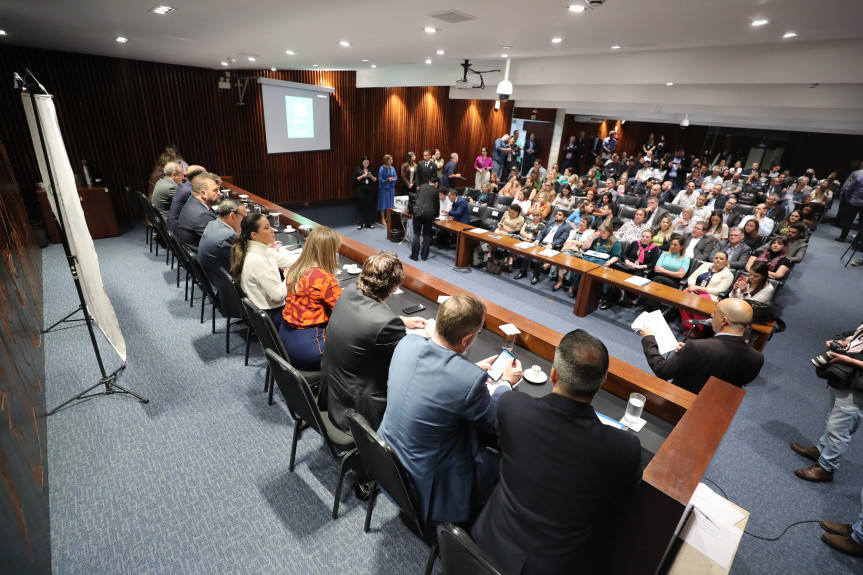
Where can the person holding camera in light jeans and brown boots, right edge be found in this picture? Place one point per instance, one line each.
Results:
(842, 367)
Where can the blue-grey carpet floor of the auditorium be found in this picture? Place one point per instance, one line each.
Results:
(196, 481)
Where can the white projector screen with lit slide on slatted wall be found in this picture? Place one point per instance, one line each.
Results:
(296, 116)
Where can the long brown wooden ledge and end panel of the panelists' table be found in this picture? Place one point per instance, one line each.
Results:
(676, 469)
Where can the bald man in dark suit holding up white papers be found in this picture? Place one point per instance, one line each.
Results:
(726, 355)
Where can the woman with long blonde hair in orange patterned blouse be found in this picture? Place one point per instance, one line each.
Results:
(312, 293)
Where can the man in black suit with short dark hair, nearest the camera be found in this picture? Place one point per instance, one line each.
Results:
(565, 477)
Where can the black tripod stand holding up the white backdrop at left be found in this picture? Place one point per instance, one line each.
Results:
(109, 380)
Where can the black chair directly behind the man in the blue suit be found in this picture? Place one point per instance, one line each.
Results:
(387, 472)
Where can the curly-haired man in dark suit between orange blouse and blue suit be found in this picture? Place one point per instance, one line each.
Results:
(361, 337)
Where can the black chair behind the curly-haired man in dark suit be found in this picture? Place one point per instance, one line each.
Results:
(304, 411)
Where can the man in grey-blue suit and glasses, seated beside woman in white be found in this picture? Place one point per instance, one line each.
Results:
(214, 251)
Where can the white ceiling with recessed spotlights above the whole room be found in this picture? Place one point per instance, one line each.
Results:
(725, 71)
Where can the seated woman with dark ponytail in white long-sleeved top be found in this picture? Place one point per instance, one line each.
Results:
(258, 267)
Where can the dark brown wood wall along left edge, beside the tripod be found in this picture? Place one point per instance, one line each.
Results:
(24, 529)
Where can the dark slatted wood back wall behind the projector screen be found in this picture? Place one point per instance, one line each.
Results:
(121, 113)
